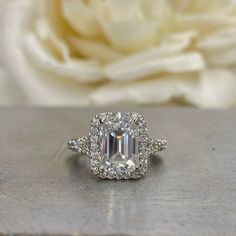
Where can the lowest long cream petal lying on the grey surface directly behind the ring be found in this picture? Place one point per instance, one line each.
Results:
(157, 91)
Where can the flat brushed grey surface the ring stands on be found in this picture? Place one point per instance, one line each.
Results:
(190, 189)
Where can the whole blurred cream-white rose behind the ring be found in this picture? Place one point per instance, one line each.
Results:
(82, 52)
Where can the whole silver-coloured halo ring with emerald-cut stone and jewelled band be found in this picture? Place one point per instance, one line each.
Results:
(118, 145)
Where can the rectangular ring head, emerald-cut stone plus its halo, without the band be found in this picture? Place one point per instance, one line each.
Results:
(117, 145)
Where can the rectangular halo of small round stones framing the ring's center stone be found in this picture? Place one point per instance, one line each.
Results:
(114, 121)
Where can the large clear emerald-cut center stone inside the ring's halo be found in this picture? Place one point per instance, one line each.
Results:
(119, 148)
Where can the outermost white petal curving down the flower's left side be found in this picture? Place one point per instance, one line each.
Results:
(32, 85)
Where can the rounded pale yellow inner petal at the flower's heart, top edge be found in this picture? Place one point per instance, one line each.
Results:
(137, 29)
